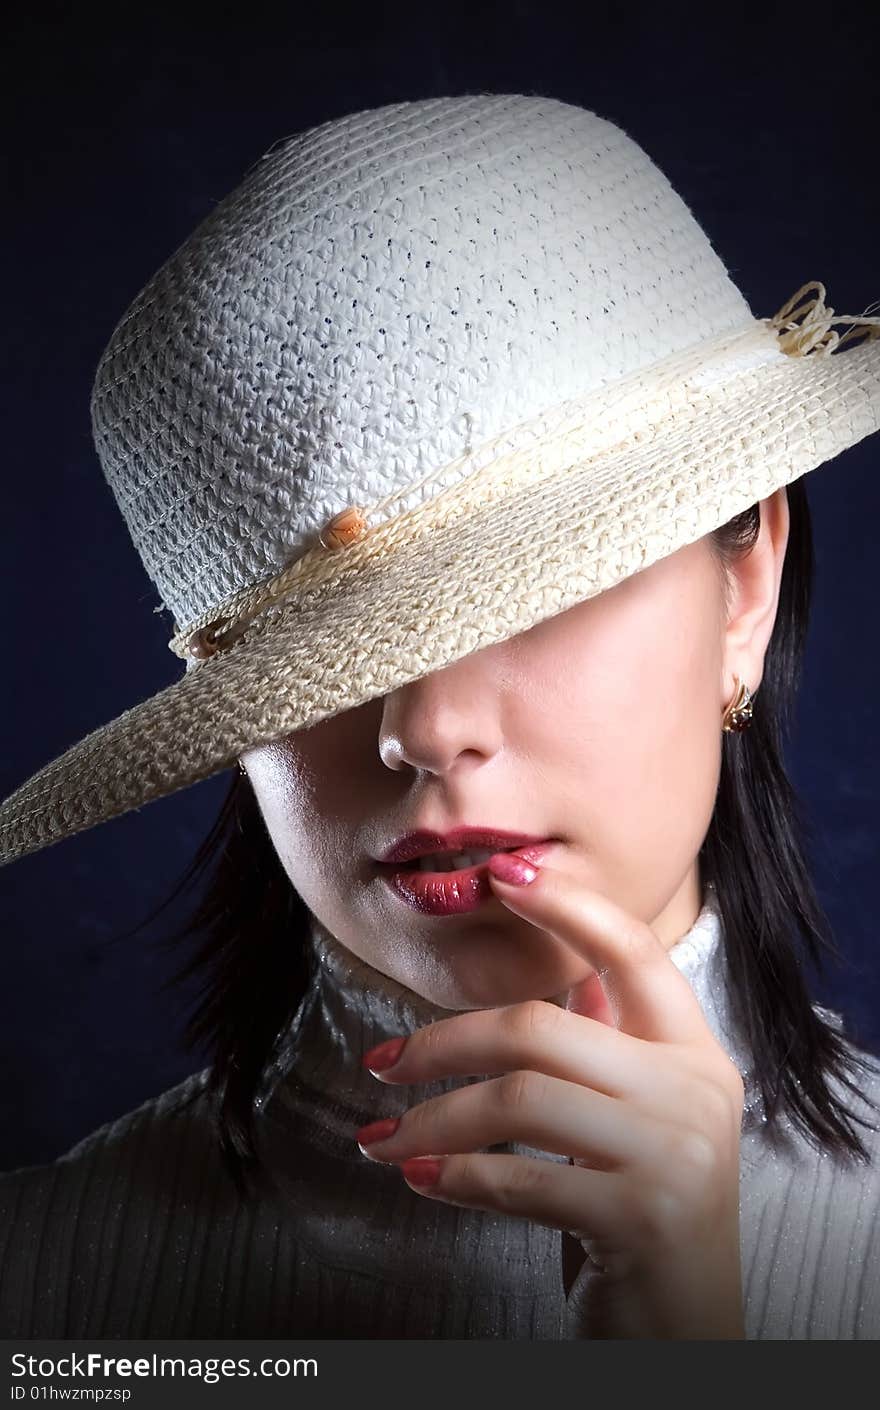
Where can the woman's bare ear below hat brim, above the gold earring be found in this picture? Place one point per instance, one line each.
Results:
(755, 580)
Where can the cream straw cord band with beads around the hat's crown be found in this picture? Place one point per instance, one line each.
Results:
(541, 449)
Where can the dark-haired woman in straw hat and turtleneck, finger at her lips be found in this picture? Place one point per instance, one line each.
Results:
(476, 491)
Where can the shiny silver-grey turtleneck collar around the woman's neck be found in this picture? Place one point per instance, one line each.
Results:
(350, 1007)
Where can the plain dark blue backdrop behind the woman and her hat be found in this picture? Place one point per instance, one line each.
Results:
(128, 132)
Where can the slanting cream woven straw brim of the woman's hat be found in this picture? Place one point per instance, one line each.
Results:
(479, 579)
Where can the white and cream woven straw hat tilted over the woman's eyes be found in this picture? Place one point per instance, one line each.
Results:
(431, 374)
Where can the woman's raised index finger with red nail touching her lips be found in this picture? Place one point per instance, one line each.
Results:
(649, 996)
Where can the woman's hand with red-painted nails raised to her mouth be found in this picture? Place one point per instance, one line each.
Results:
(642, 1099)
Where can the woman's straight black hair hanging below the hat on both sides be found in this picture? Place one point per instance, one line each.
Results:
(253, 924)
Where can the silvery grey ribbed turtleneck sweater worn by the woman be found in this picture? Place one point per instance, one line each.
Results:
(137, 1232)
